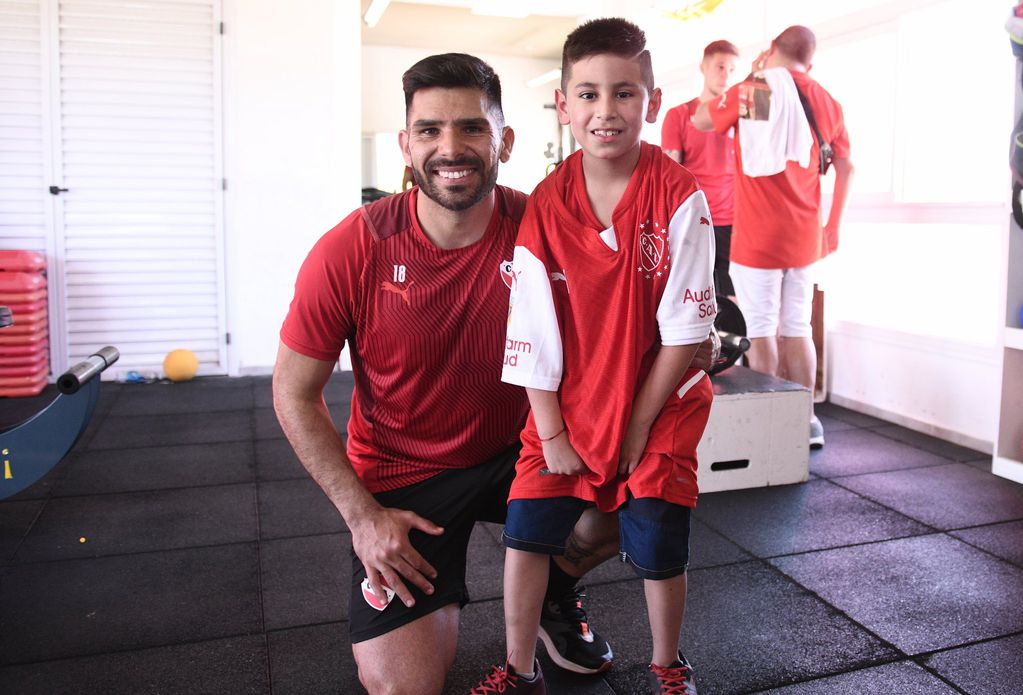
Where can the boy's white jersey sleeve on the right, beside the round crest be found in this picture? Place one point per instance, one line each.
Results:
(688, 307)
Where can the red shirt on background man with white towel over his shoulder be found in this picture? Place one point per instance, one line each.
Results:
(778, 219)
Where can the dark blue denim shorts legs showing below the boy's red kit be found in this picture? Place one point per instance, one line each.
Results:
(654, 534)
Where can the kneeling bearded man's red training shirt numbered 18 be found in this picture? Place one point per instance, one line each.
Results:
(425, 327)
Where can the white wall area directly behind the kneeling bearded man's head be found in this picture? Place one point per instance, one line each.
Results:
(384, 112)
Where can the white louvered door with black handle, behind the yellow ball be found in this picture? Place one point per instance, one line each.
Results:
(136, 133)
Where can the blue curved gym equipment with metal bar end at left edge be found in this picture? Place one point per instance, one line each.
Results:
(32, 449)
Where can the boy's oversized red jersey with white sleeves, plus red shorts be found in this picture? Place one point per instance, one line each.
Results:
(590, 310)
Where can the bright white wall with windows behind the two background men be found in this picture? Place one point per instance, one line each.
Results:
(914, 297)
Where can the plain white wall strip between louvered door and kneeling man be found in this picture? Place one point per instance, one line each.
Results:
(292, 141)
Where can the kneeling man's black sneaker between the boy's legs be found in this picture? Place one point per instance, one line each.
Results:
(570, 642)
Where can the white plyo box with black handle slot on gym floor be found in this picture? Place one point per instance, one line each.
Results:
(758, 435)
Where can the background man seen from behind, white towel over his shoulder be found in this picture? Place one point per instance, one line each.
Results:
(778, 233)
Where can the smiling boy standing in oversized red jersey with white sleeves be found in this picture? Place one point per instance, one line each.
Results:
(612, 293)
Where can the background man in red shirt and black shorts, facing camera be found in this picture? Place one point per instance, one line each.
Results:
(708, 155)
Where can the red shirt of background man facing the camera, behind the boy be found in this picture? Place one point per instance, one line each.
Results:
(710, 156)
